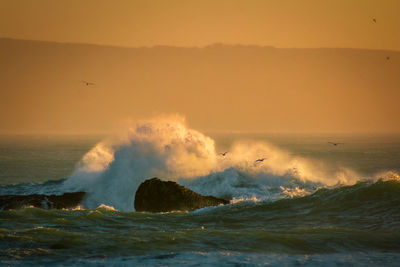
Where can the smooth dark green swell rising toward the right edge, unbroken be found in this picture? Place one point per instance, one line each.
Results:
(365, 205)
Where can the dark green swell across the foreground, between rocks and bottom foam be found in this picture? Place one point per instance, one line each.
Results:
(360, 218)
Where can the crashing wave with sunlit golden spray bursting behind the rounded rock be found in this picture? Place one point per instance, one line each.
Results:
(165, 147)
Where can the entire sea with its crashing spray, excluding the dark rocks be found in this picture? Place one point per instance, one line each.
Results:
(308, 202)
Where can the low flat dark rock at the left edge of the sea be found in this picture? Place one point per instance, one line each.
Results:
(65, 201)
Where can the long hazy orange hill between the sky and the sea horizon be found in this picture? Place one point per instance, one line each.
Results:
(219, 87)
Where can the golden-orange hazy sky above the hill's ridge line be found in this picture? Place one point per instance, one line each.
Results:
(280, 23)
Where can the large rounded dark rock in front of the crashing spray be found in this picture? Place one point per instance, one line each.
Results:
(154, 195)
